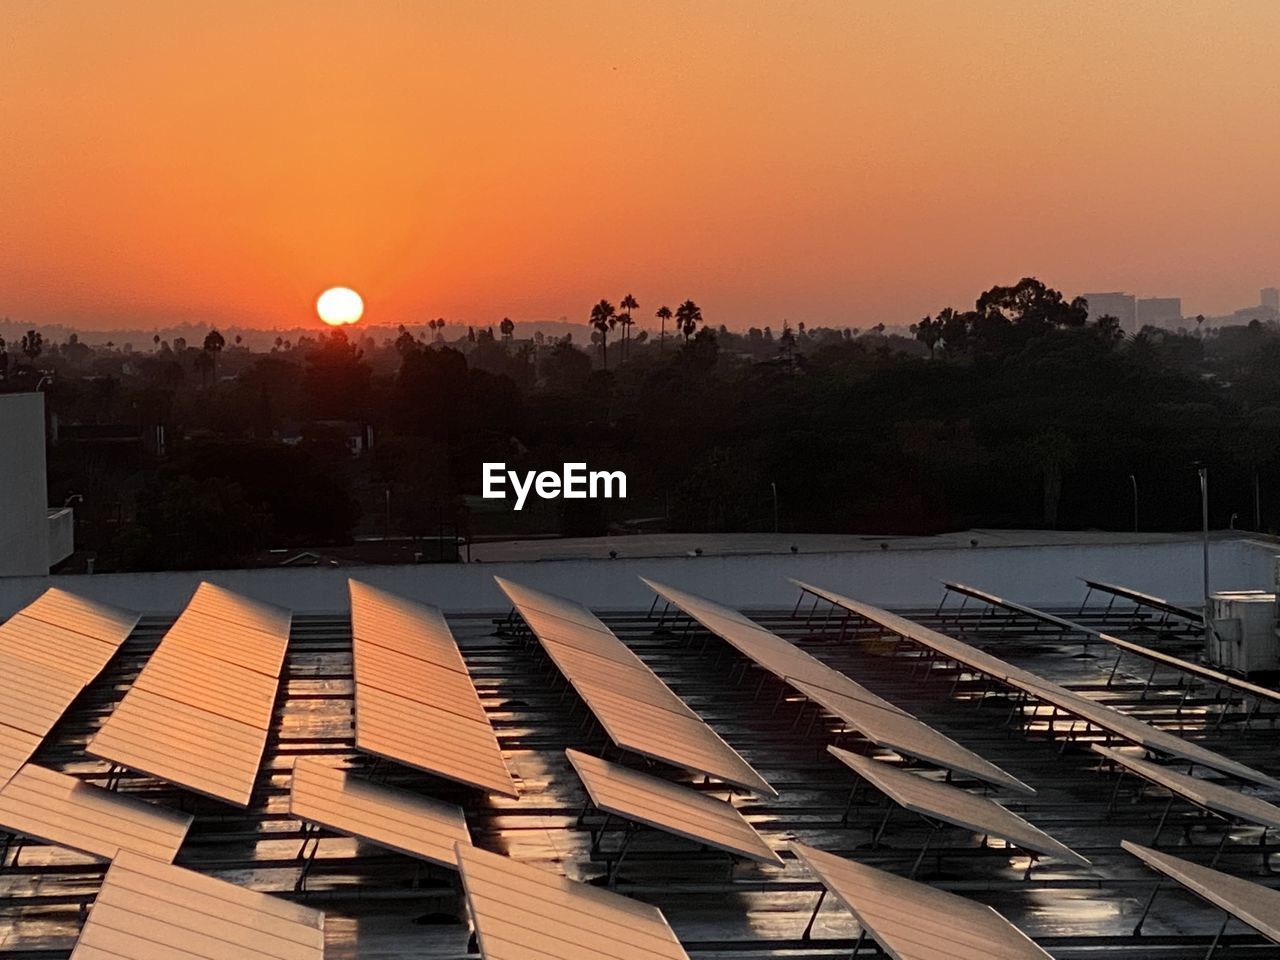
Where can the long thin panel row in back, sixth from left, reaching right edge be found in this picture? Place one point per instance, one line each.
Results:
(1098, 714)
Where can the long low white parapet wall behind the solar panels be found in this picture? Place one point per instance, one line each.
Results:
(907, 579)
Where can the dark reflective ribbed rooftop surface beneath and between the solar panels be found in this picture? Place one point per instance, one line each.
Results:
(386, 907)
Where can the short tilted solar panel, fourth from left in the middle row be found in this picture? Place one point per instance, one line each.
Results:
(949, 804)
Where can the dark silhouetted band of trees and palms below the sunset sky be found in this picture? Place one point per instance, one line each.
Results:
(1016, 413)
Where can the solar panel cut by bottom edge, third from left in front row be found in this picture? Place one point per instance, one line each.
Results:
(915, 921)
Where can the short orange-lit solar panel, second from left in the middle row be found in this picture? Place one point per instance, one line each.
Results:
(391, 819)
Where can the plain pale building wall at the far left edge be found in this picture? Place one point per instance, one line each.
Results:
(24, 495)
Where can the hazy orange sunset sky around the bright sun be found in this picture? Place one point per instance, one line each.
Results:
(824, 162)
